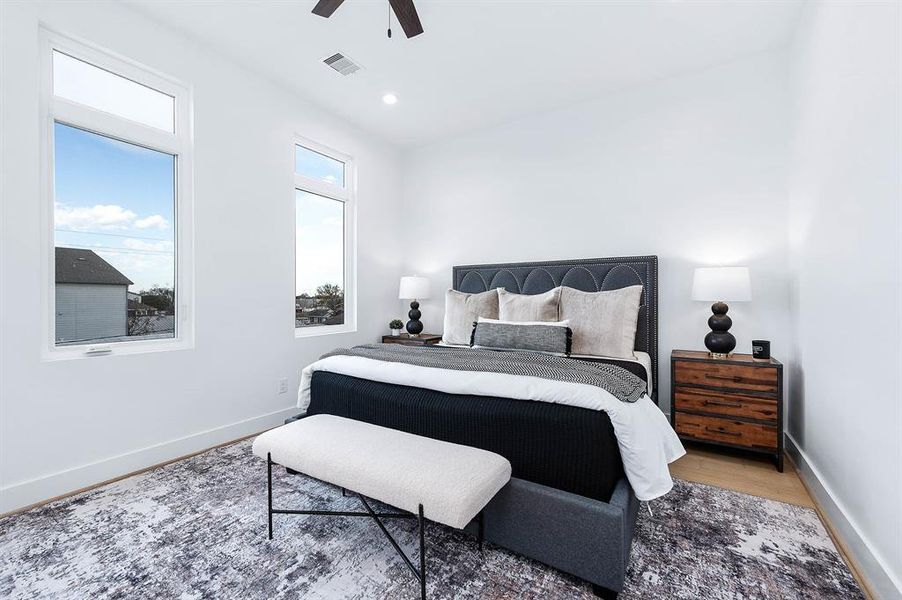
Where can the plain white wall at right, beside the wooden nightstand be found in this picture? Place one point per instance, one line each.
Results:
(845, 410)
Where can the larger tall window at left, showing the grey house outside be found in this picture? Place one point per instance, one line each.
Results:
(119, 190)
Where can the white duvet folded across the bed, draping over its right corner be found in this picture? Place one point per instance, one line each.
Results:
(646, 440)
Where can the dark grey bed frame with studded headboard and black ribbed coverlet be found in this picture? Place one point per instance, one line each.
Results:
(569, 503)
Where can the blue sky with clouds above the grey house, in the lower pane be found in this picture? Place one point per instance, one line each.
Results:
(117, 199)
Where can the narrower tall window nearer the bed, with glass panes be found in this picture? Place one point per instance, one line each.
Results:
(324, 241)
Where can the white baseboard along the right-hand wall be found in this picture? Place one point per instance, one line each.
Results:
(871, 566)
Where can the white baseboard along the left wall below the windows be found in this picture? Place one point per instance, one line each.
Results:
(25, 493)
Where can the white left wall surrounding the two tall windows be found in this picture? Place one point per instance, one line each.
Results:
(67, 424)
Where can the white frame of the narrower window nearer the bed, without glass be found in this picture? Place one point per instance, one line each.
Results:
(346, 194)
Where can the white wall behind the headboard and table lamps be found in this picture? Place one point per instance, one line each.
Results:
(690, 169)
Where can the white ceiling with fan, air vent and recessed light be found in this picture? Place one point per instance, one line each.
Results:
(477, 63)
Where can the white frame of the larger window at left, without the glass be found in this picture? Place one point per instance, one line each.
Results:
(180, 144)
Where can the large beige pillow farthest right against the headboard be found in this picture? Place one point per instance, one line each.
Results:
(603, 323)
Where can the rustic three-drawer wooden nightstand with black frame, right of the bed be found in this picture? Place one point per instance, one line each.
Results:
(735, 401)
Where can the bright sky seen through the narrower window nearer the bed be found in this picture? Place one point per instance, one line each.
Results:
(319, 223)
